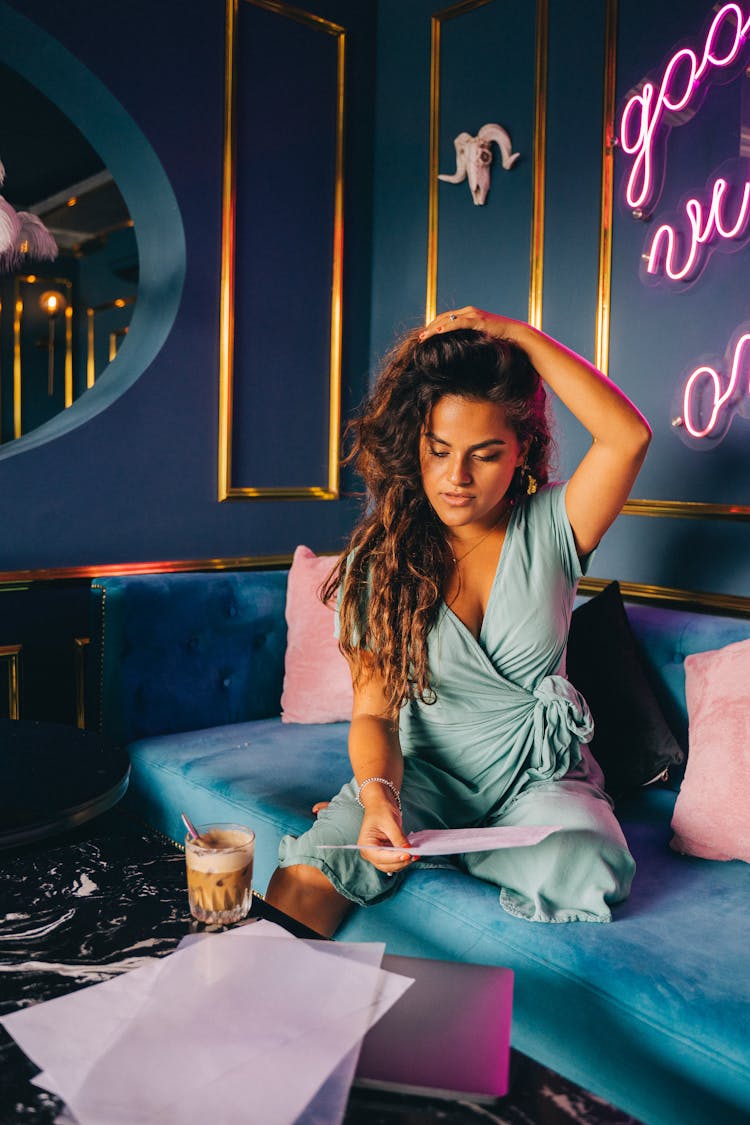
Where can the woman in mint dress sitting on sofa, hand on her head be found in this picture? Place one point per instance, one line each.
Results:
(455, 601)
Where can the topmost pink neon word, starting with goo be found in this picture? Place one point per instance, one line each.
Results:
(654, 111)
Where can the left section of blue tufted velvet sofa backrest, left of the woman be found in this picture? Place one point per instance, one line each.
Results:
(188, 652)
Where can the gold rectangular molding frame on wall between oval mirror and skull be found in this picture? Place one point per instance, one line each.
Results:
(227, 489)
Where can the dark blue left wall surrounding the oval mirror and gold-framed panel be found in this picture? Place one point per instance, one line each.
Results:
(139, 482)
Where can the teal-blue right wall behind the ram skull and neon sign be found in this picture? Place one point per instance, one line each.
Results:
(654, 335)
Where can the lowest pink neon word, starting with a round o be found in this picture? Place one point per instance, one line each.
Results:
(708, 404)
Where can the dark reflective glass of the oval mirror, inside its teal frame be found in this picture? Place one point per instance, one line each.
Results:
(62, 321)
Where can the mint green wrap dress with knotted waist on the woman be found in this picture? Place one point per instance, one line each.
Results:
(503, 744)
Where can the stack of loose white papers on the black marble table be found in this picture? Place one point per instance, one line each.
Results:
(246, 1025)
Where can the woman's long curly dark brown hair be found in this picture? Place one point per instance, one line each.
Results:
(397, 561)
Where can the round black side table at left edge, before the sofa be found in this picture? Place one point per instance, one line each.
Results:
(55, 778)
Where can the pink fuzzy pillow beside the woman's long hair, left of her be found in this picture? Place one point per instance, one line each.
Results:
(318, 685)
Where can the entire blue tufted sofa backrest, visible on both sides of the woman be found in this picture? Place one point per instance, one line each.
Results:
(188, 652)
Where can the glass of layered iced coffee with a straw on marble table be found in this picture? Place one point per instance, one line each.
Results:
(220, 863)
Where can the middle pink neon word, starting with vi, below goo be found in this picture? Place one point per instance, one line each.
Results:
(679, 250)
